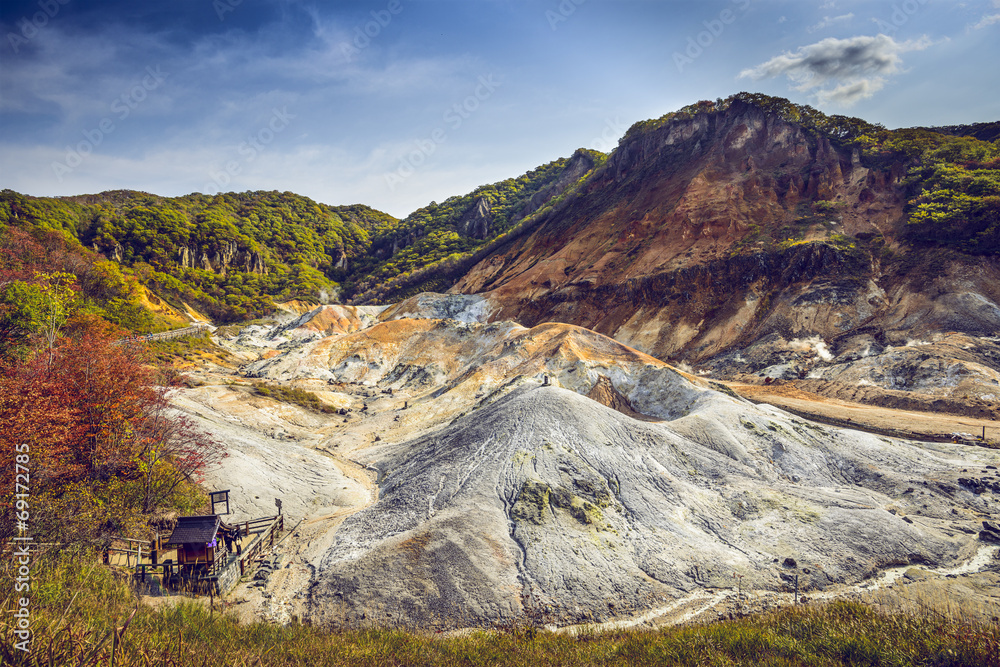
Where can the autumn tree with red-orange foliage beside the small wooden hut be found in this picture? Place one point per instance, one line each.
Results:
(106, 449)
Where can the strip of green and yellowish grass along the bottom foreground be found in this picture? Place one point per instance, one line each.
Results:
(80, 616)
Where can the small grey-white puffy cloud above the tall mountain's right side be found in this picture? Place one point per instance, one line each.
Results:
(839, 70)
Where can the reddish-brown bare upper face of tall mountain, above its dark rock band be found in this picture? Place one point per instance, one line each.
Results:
(687, 197)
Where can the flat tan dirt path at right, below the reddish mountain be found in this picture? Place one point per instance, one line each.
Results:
(886, 421)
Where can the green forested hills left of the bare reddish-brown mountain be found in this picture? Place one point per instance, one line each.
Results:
(233, 254)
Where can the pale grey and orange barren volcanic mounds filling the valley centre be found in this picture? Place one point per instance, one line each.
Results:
(501, 499)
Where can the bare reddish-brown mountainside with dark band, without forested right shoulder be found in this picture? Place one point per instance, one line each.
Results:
(711, 233)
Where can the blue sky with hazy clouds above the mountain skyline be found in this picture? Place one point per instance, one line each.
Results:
(395, 103)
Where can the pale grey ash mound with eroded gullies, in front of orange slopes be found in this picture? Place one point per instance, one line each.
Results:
(548, 506)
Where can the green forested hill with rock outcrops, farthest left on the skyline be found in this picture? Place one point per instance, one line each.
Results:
(231, 254)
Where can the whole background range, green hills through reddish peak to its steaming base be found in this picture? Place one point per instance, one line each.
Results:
(738, 237)
